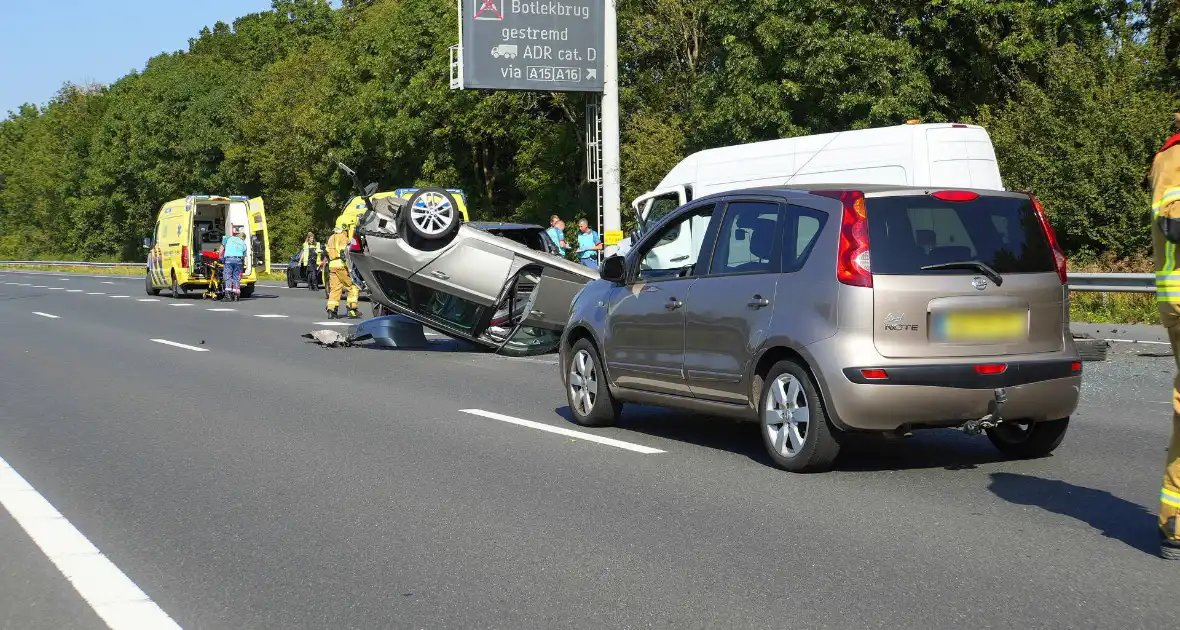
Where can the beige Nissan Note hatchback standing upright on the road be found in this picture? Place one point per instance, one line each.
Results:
(824, 311)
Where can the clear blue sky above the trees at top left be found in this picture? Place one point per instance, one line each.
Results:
(48, 43)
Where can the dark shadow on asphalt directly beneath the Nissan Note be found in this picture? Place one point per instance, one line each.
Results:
(948, 449)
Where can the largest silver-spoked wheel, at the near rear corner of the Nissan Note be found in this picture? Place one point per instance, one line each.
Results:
(795, 428)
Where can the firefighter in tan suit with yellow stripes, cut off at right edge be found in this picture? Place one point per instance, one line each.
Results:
(1165, 237)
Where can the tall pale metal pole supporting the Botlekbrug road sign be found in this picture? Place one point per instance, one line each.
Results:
(612, 161)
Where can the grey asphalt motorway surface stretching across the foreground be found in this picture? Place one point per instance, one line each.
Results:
(268, 483)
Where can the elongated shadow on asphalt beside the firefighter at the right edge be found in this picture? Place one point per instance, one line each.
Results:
(1115, 517)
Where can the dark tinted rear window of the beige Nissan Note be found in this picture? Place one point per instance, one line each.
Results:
(909, 233)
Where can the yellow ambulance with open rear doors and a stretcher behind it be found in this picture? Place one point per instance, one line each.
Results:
(188, 235)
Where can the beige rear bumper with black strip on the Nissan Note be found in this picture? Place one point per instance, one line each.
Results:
(947, 393)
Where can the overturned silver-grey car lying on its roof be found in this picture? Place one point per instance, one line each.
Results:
(499, 285)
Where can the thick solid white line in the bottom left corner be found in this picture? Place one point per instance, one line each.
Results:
(99, 581)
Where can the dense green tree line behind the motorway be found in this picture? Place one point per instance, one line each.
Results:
(1077, 95)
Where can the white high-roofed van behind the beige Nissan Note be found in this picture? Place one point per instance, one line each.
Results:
(916, 155)
